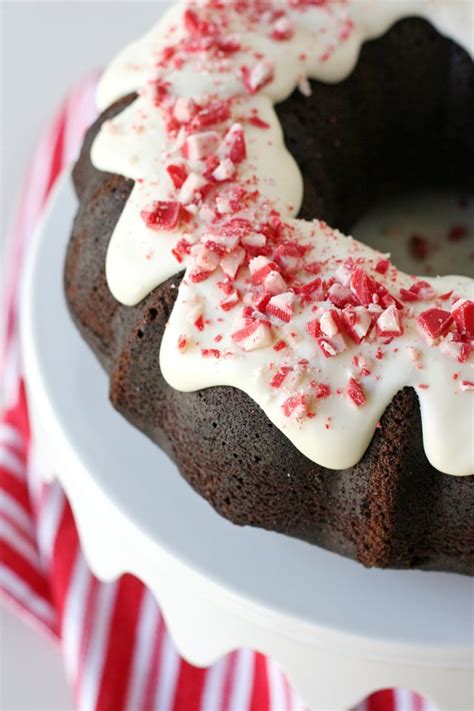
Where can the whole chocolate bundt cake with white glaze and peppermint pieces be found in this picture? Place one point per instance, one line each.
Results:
(299, 380)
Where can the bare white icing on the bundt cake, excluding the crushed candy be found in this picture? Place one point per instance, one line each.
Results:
(137, 144)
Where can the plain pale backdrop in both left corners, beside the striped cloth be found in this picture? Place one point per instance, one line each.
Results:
(45, 48)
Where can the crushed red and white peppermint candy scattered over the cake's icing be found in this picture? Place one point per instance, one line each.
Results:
(309, 307)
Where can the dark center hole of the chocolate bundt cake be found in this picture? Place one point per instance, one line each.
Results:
(388, 153)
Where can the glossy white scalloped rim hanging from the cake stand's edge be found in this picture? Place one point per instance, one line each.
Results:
(205, 619)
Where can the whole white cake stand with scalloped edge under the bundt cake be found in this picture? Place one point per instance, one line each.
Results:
(338, 630)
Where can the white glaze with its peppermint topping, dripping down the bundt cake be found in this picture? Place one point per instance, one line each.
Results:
(320, 330)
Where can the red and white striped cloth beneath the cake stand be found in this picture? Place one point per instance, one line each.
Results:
(117, 651)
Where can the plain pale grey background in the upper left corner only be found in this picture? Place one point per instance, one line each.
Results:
(45, 47)
